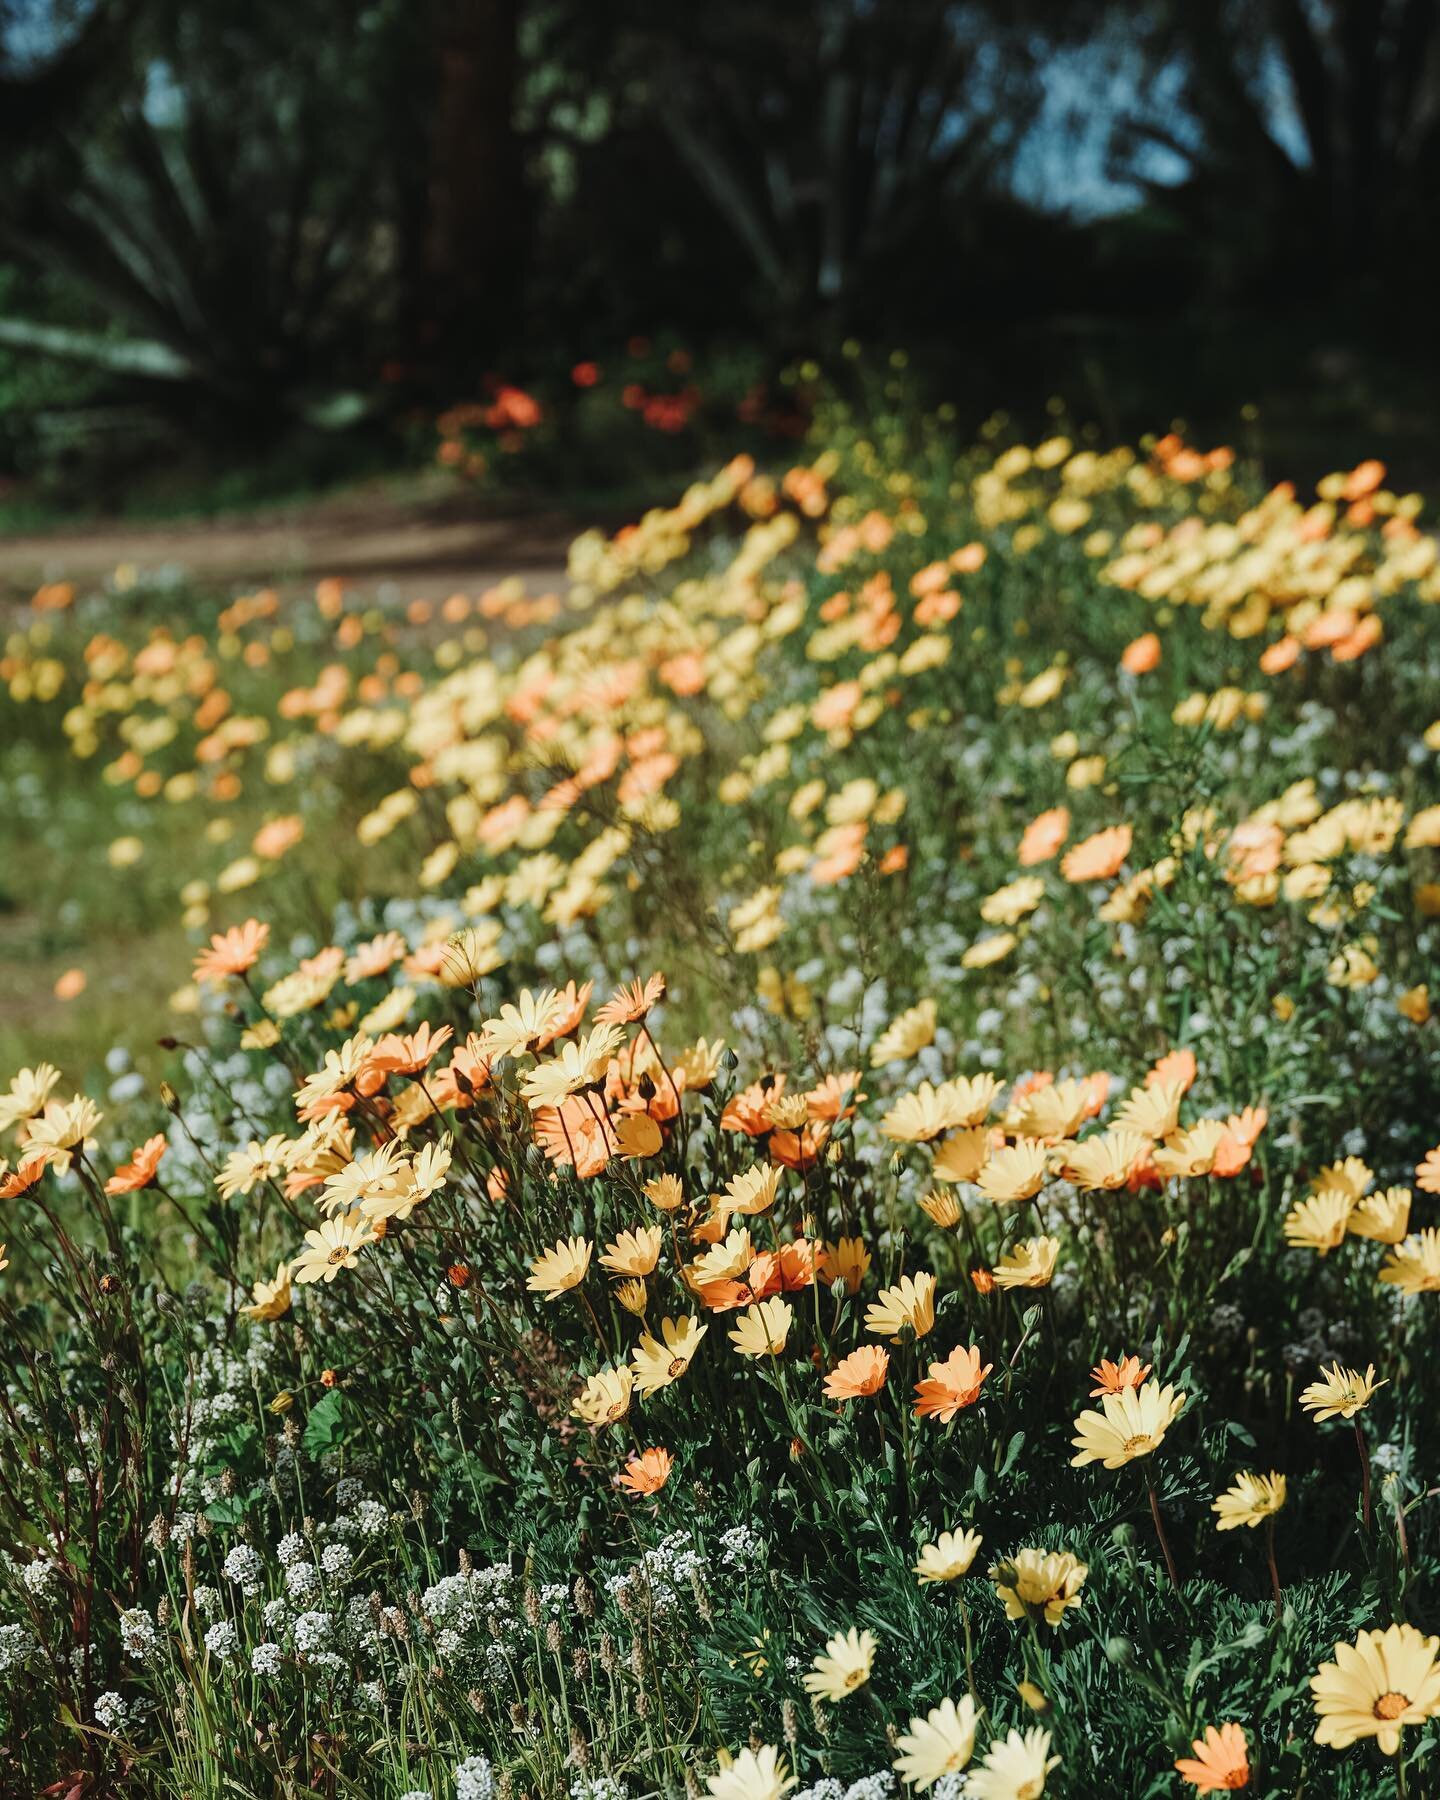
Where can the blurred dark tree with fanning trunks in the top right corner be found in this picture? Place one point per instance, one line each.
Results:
(1290, 134)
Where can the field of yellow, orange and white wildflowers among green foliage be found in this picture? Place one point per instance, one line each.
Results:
(811, 1169)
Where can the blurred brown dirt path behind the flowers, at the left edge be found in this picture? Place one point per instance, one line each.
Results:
(424, 543)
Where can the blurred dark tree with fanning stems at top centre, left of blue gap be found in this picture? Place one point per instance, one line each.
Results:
(838, 141)
